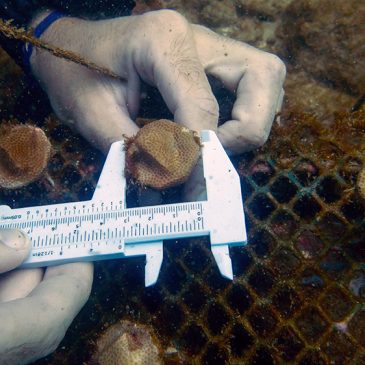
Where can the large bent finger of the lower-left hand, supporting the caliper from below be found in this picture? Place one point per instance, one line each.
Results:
(39, 321)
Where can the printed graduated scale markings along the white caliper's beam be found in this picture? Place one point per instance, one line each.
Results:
(70, 217)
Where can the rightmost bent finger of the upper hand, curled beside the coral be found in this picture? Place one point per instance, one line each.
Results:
(256, 77)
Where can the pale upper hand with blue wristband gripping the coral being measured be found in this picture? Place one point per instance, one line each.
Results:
(162, 49)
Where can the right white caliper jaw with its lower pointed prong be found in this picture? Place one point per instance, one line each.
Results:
(224, 195)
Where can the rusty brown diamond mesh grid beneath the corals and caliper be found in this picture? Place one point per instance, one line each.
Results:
(298, 295)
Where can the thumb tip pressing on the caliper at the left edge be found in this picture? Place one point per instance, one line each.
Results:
(14, 249)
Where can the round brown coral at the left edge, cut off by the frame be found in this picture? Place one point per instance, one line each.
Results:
(24, 153)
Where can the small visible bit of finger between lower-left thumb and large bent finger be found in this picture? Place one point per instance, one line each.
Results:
(19, 283)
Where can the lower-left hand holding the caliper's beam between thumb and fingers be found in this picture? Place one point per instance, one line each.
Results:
(36, 306)
